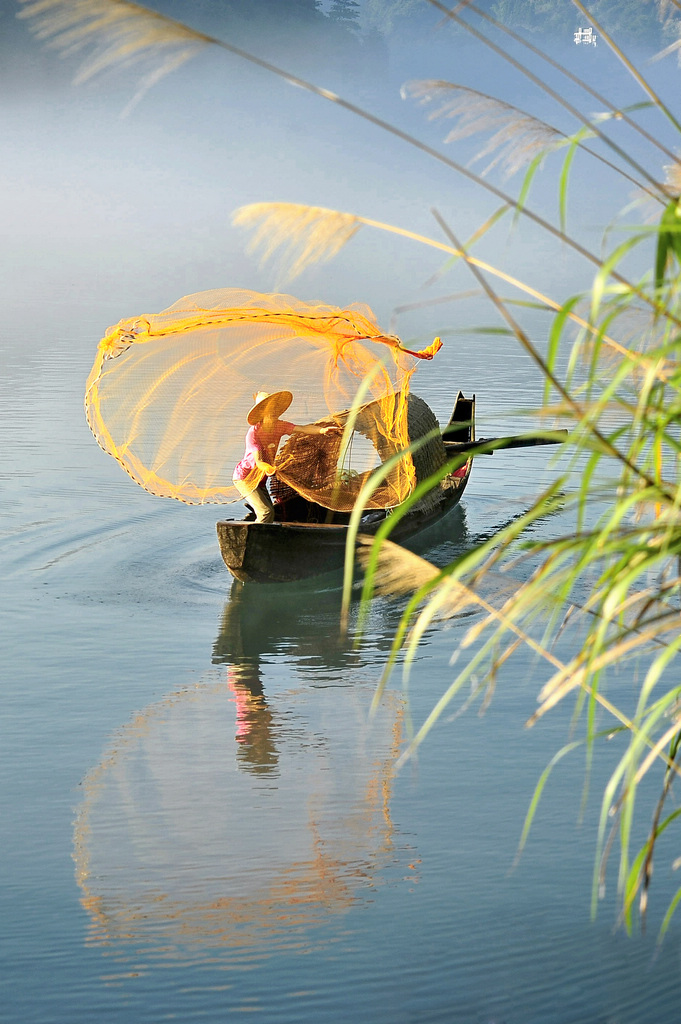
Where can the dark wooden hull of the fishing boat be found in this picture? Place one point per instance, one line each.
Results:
(308, 540)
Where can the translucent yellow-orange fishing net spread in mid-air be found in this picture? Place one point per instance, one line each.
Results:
(171, 393)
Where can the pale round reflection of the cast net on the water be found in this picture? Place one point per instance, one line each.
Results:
(181, 848)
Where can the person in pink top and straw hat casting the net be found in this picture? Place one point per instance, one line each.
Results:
(250, 477)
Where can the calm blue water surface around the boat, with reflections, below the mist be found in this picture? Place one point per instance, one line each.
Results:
(200, 818)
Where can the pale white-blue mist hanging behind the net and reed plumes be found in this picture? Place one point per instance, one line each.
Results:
(97, 207)
